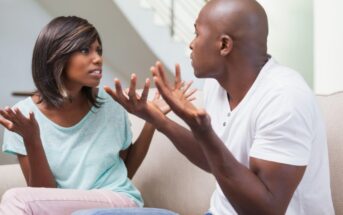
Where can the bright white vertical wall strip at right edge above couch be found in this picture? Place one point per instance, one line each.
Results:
(328, 76)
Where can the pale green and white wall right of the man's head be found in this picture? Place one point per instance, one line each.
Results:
(307, 36)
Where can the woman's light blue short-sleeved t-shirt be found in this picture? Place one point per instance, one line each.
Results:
(86, 155)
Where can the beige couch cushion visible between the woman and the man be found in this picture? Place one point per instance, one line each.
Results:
(168, 180)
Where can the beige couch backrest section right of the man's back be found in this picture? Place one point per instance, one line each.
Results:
(332, 108)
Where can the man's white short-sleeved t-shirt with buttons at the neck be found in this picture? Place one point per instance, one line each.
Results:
(278, 120)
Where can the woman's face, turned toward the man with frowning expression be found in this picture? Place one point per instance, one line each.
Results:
(84, 67)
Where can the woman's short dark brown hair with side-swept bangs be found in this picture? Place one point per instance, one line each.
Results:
(55, 44)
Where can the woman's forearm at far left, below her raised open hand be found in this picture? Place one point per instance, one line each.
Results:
(39, 173)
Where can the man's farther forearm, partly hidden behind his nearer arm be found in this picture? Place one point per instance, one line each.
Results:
(185, 142)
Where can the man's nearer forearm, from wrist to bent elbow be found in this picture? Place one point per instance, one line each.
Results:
(245, 191)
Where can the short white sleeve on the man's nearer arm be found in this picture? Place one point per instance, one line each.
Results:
(284, 131)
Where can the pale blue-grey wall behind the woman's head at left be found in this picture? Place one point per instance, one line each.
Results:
(20, 24)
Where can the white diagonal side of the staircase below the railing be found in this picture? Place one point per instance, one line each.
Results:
(158, 38)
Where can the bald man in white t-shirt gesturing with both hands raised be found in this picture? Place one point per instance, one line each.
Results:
(261, 134)
